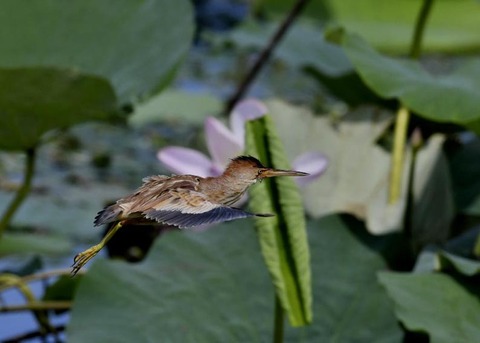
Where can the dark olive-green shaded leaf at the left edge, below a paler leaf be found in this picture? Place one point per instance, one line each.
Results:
(36, 100)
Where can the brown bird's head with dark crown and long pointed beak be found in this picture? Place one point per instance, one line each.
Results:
(248, 168)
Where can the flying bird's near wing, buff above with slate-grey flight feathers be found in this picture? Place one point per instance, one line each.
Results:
(188, 208)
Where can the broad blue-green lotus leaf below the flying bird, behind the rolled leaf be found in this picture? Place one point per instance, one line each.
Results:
(211, 287)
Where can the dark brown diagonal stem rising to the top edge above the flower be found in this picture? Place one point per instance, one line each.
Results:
(265, 54)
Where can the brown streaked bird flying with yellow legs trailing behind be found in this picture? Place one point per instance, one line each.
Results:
(184, 201)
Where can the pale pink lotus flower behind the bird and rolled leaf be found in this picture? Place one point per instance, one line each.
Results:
(224, 143)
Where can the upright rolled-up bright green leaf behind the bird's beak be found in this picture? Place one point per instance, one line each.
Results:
(283, 238)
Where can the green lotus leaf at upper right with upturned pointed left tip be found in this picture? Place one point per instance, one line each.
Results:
(452, 98)
